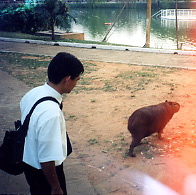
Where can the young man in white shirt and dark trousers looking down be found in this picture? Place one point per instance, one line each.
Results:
(46, 142)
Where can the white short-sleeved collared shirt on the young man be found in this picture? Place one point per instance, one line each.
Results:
(46, 137)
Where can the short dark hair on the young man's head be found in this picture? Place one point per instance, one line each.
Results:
(62, 65)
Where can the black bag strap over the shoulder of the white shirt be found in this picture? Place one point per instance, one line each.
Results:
(27, 119)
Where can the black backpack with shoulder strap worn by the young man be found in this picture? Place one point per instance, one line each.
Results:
(11, 151)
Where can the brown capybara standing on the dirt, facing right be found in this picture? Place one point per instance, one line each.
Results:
(148, 120)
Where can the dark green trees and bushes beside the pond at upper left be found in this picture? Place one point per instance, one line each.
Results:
(32, 18)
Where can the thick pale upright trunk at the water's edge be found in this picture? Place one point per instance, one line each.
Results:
(148, 23)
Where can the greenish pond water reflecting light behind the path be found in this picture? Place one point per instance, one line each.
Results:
(130, 29)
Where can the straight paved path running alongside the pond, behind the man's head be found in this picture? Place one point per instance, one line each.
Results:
(118, 56)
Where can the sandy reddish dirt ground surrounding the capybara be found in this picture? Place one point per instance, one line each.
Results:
(97, 112)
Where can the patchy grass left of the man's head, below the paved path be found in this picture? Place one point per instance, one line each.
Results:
(31, 69)
